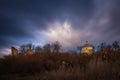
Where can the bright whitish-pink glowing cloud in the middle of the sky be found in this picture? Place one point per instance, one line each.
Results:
(64, 33)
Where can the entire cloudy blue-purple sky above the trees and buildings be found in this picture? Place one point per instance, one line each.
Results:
(70, 22)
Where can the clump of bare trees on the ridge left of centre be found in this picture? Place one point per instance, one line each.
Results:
(47, 48)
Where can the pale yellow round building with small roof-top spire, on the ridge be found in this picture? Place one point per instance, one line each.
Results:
(87, 49)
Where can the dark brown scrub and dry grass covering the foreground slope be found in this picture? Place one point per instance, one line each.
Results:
(61, 66)
